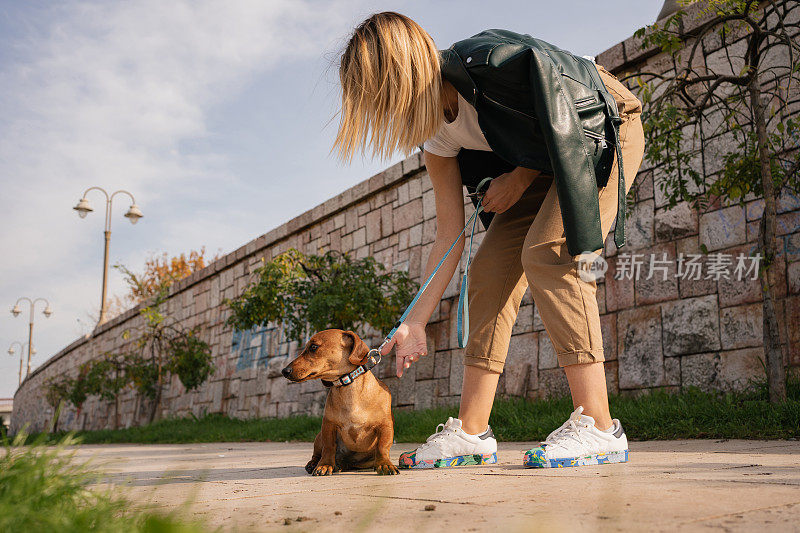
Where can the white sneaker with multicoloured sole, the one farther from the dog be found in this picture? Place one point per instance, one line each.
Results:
(578, 442)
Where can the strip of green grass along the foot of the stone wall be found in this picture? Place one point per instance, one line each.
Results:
(687, 415)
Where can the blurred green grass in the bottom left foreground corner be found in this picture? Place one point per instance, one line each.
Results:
(42, 489)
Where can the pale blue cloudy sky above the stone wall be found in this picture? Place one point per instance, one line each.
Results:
(218, 117)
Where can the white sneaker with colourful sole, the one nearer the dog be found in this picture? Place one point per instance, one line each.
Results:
(451, 446)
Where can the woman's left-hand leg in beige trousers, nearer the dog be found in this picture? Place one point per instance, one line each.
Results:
(496, 288)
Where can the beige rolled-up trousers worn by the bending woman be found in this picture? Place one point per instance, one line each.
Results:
(526, 245)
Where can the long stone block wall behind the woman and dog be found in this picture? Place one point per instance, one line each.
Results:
(658, 332)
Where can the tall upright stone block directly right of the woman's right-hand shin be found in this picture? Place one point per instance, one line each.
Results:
(639, 348)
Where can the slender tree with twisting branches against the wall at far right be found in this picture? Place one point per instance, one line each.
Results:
(745, 93)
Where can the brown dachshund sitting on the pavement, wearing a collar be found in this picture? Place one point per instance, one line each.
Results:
(357, 425)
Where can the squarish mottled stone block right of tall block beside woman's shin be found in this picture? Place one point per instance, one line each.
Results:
(690, 326)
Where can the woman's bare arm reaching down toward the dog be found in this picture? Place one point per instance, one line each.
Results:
(410, 340)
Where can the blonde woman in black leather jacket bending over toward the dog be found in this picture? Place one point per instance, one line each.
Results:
(550, 127)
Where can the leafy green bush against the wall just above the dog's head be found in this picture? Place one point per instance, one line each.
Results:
(318, 292)
